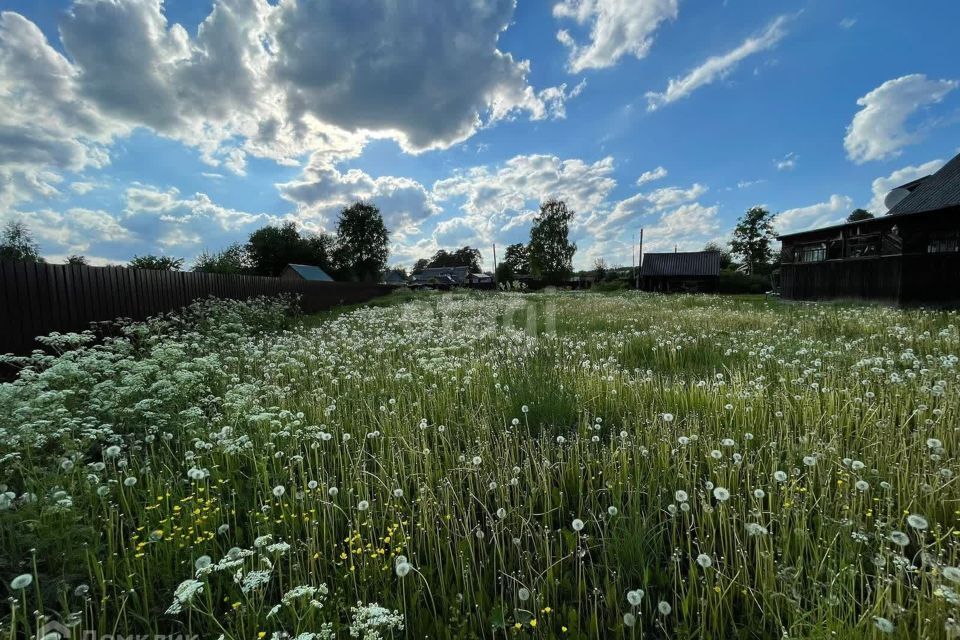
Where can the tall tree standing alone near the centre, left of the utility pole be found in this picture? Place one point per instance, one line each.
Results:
(551, 252)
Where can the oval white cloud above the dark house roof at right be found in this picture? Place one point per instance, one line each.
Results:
(879, 130)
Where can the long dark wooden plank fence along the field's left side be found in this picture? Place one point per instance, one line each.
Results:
(37, 299)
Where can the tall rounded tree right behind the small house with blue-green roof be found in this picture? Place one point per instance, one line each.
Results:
(361, 248)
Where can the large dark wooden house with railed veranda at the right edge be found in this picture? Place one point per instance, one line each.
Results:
(909, 256)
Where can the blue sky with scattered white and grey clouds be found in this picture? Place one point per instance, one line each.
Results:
(130, 127)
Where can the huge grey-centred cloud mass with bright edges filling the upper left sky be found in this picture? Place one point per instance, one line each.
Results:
(257, 78)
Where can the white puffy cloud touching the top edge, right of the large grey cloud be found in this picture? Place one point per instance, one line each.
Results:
(617, 28)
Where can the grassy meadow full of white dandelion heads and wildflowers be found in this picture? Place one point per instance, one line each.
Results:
(492, 465)
